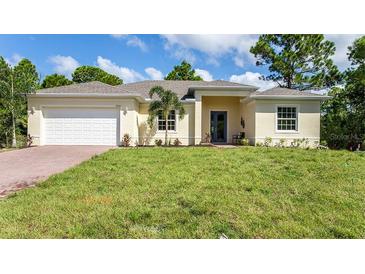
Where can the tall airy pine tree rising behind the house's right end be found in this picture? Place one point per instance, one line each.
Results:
(299, 61)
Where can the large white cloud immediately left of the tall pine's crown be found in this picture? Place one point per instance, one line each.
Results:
(215, 46)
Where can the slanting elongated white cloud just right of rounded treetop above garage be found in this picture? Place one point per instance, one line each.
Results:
(128, 75)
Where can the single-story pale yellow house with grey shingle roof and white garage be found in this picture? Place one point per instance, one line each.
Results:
(95, 113)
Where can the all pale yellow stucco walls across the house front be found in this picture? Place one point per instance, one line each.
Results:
(259, 117)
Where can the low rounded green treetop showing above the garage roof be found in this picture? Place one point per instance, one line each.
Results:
(85, 74)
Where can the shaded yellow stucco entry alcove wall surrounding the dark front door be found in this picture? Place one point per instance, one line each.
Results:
(219, 103)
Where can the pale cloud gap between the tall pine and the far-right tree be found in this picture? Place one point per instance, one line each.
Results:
(342, 41)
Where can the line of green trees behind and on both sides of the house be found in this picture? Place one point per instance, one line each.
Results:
(301, 62)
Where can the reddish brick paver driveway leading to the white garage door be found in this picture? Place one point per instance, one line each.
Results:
(24, 167)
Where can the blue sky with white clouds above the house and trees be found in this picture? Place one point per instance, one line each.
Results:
(141, 57)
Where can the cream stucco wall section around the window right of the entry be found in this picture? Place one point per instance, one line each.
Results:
(308, 121)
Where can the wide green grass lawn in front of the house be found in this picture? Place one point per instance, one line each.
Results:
(196, 193)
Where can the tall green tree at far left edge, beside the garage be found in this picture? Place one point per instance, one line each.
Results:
(15, 84)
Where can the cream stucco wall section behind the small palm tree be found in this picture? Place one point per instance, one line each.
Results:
(184, 128)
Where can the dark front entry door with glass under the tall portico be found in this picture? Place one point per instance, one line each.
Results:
(218, 126)
